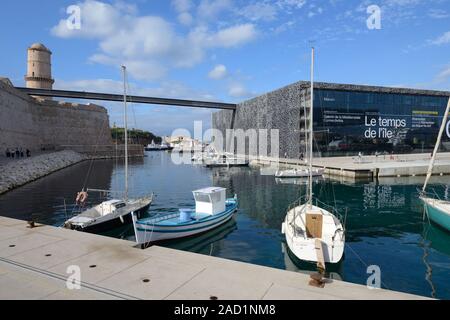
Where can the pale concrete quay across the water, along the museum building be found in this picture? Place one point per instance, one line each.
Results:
(369, 167)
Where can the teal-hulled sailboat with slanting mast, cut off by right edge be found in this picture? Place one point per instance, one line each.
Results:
(436, 209)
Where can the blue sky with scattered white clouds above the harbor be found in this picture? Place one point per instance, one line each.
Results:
(225, 50)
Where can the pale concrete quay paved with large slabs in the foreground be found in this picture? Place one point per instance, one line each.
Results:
(34, 264)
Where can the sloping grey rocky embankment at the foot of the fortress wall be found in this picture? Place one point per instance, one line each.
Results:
(17, 173)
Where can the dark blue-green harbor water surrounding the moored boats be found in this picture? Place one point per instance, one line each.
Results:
(384, 219)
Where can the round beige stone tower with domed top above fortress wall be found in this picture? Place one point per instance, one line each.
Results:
(39, 72)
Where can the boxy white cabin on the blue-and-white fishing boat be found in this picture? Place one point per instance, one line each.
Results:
(210, 200)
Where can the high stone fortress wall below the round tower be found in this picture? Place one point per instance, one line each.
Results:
(36, 123)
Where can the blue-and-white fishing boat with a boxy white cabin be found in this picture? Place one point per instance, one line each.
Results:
(212, 209)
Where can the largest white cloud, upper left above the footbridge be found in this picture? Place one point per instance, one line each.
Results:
(150, 45)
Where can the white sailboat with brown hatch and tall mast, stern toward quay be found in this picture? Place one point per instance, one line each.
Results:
(313, 232)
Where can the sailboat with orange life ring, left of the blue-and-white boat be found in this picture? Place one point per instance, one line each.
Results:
(112, 213)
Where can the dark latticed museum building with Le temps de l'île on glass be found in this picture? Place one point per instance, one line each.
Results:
(348, 119)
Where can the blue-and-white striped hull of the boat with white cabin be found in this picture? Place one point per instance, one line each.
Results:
(151, 233)
